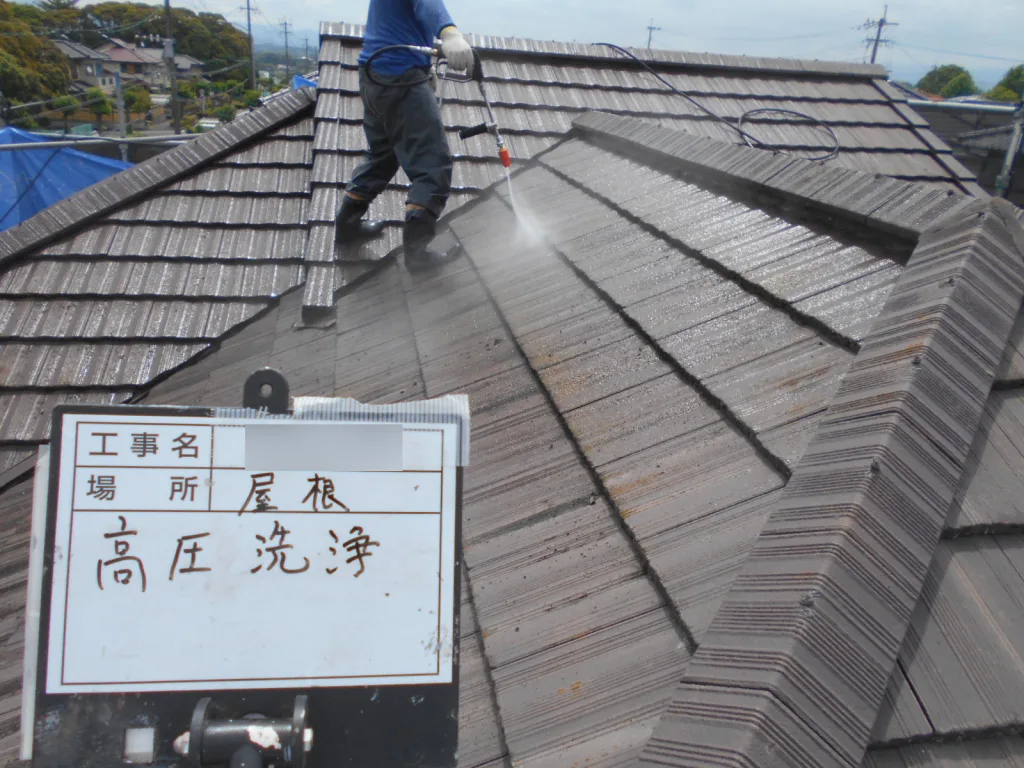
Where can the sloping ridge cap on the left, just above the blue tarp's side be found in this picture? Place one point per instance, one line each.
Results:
(74, 212)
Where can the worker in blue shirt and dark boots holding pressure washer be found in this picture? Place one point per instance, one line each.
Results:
(403, 123)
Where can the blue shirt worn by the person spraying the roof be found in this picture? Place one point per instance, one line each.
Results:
(403, 23)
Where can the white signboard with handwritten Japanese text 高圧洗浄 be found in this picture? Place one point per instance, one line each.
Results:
(196, 553)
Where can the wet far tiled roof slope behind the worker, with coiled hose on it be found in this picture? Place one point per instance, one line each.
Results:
(538, 90)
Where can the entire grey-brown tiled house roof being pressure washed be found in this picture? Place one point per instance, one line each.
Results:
(747, 426)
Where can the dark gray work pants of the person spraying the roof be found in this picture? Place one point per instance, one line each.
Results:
(404, 129)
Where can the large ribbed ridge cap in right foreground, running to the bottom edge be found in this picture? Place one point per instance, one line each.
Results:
(833, 581)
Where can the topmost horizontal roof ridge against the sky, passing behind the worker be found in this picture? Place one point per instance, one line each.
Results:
(523, 47)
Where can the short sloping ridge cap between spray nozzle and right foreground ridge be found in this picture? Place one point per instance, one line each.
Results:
(893, 206)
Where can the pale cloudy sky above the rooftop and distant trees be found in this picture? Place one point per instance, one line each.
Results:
(985, 36)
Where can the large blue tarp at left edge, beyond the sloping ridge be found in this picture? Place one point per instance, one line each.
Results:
(34, 180)
